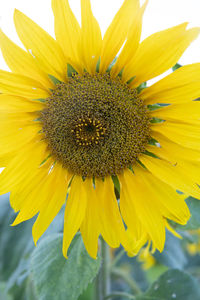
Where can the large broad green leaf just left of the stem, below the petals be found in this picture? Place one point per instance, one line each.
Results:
(55, 277)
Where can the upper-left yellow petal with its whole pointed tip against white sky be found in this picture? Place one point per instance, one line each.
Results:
(41, 45)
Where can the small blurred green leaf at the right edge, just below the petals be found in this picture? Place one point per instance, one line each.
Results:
(194, 221)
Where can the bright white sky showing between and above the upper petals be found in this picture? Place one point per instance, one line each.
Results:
(159, 15)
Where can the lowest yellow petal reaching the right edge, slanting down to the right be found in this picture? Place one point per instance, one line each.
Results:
(171, 174)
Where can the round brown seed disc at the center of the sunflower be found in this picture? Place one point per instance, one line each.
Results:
(95, 125)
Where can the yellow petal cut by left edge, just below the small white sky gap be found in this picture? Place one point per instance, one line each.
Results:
(19, 85)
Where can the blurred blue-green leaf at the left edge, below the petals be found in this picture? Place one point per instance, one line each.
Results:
(15, 244)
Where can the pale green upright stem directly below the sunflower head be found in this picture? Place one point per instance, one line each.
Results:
(103, 283)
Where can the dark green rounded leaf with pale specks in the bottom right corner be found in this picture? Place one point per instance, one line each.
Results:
(173, 285)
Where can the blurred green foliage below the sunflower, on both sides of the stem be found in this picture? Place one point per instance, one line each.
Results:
(29, 273)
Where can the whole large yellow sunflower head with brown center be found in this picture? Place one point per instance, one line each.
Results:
(78, 128)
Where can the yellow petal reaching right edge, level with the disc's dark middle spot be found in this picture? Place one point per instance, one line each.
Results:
(186, 135)
